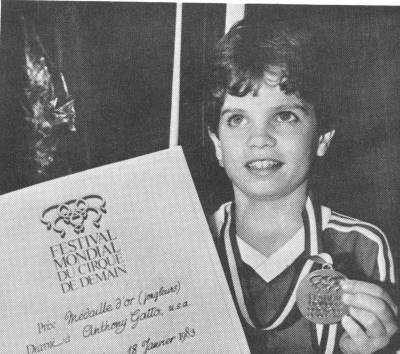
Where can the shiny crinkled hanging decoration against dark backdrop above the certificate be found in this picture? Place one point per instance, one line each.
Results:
(46, 103)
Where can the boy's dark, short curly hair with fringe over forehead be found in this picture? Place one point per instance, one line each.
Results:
(290, 52)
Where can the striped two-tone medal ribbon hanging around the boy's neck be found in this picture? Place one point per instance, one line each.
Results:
(311, 249)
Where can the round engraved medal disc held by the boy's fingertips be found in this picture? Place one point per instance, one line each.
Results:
(319, 297)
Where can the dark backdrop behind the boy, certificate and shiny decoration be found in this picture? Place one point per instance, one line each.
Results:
(117, 61)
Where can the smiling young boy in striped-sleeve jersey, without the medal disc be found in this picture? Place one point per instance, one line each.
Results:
(270, 88)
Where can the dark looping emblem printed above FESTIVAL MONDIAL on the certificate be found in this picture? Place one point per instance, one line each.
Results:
(74, 212)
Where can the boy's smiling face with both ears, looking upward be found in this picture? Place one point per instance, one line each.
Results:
(267, 142)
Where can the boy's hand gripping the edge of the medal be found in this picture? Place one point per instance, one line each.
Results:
(374, 309)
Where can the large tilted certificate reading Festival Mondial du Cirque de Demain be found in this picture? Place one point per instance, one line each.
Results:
(117, 259)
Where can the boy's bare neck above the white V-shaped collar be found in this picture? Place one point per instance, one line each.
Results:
(267, 225)
